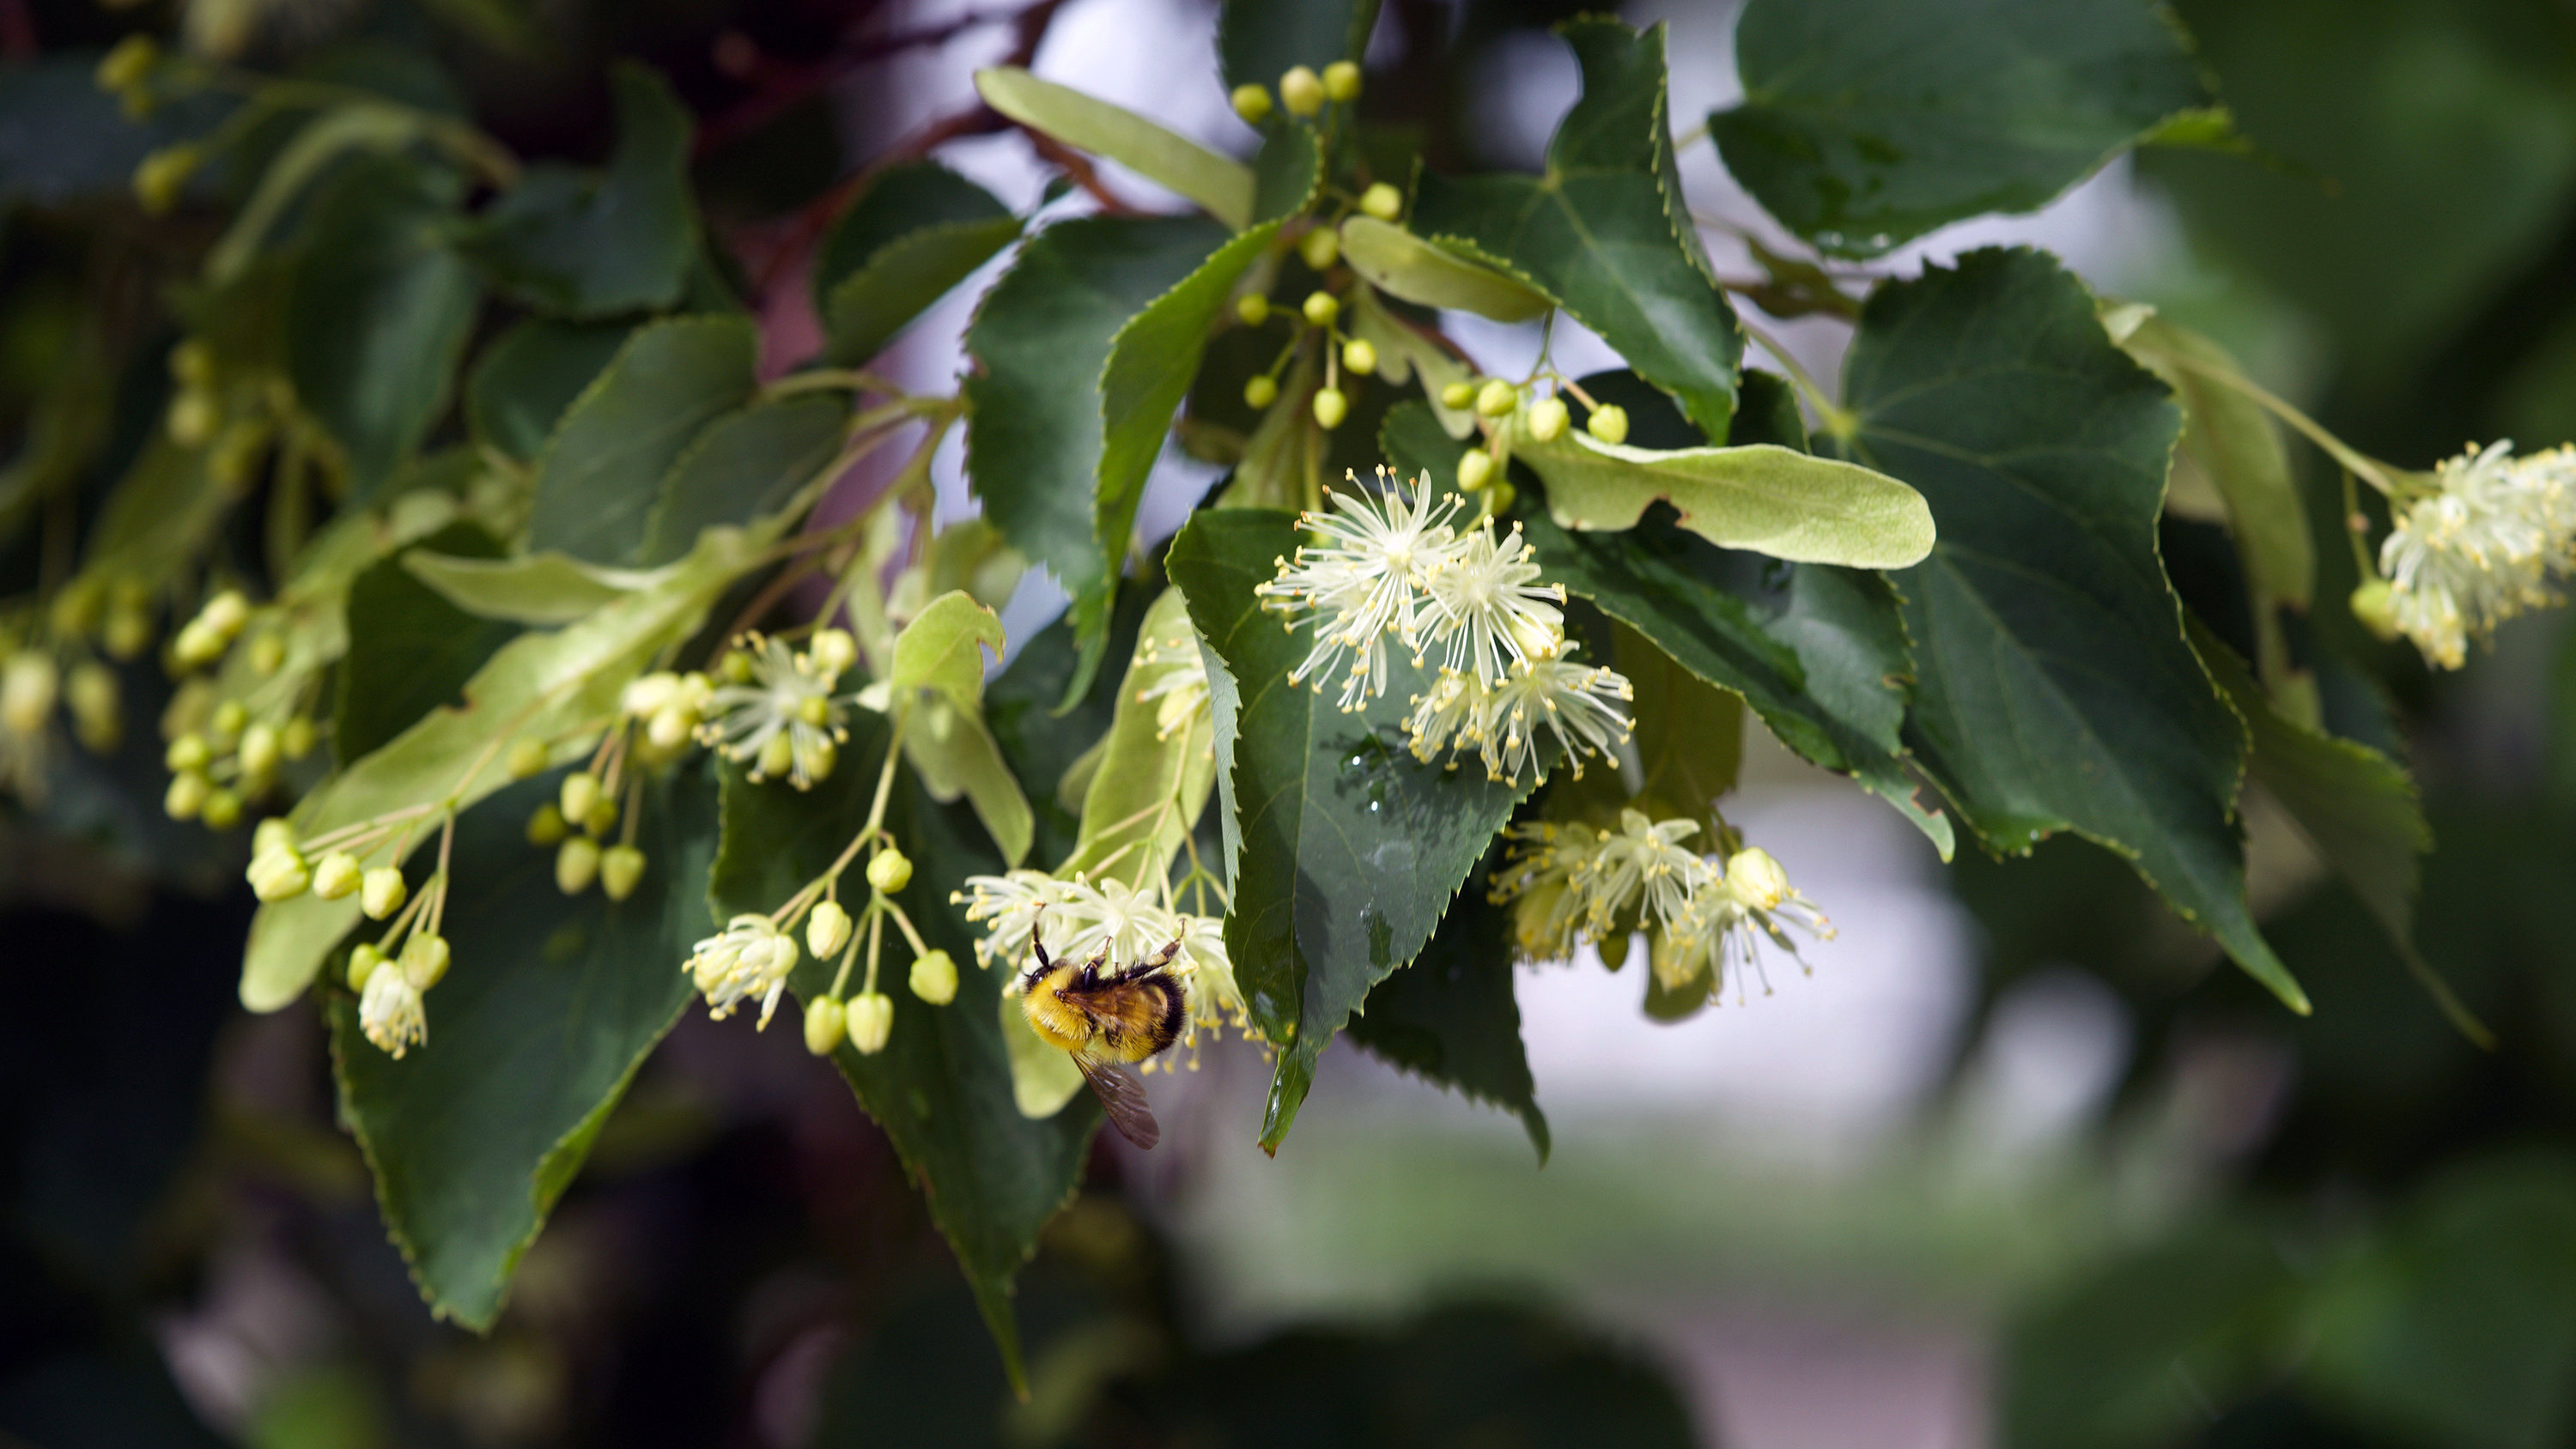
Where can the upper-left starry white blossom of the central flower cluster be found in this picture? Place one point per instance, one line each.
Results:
(1367, 580)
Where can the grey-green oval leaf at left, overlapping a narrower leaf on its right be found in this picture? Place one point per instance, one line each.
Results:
(599, 477)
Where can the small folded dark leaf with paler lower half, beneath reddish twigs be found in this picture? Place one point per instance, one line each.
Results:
(913, 235)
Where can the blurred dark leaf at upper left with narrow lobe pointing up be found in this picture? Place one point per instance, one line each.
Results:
(599, 243)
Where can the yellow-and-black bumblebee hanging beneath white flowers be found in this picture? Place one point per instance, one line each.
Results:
(1104, 1020)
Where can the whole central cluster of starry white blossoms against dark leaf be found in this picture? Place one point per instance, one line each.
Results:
(1392, 568)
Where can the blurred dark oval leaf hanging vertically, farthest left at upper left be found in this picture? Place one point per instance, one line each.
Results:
(380, 313)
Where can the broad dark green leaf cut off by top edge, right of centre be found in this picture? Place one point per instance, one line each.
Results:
(1871, 122)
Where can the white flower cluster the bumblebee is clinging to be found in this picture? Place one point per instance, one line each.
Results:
(1081, 920)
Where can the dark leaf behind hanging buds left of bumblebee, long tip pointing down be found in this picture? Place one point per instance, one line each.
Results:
(942, 1090)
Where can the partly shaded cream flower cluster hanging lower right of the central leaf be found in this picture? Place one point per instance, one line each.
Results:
(1575, 884)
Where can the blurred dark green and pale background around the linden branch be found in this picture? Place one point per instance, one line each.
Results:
(2013, 1162)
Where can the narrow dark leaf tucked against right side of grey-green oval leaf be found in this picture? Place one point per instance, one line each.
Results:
(743, 467)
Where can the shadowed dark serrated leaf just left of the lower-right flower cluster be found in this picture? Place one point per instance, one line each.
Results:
(1452, 1018)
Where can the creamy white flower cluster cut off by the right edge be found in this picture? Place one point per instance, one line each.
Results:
(2482, 547)
